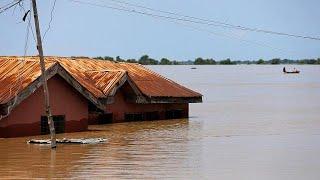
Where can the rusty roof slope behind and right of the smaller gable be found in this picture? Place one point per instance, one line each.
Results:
(149, 83)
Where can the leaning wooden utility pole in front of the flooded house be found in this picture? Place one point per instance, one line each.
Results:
(43, 76)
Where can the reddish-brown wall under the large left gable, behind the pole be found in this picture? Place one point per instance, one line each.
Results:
(24, 120)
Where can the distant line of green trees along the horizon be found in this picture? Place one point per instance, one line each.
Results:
(146, 60)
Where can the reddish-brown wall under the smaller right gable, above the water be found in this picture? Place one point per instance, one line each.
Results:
(121, 106)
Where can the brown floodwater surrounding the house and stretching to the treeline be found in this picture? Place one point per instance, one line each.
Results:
(255, 123)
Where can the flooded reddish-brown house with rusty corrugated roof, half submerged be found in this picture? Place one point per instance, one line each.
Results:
(85, 91)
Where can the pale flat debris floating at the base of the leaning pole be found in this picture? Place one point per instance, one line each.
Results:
(69, 141)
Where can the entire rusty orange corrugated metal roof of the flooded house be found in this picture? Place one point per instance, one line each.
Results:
(97, 76)
